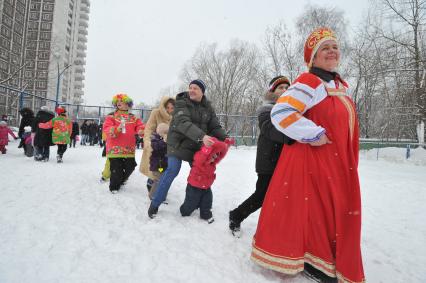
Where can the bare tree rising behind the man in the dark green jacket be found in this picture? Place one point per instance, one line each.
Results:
(230, 75)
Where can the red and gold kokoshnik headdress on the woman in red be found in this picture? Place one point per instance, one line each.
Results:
(314, 41)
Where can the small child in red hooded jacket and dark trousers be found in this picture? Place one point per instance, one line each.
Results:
(201, 177)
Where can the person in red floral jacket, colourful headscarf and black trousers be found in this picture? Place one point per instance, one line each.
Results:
(120, 128)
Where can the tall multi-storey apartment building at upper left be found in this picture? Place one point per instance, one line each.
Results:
(41, 39)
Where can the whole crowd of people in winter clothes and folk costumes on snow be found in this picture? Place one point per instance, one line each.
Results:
(307, 158)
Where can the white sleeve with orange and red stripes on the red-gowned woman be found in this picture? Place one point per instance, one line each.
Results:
(287, 114)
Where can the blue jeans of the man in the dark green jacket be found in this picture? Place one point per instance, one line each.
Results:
(166, 180)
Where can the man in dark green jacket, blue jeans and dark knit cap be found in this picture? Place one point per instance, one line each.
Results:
(194, 123)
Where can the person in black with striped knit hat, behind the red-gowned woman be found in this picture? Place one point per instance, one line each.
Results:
(269, 146)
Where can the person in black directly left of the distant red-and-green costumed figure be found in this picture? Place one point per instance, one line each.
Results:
(43, 137)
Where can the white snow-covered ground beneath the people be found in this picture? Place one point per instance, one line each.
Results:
(59, 224)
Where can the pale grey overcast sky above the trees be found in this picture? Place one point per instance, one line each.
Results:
(139, 46)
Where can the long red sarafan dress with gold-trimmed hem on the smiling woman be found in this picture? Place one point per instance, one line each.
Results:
(312, 210)
